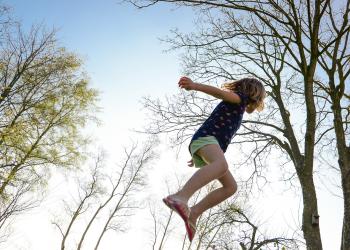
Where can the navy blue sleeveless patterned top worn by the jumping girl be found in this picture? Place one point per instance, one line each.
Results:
(223, 122)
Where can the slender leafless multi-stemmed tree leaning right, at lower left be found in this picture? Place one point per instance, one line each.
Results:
(108, 206)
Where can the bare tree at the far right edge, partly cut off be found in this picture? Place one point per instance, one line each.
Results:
(335, 61)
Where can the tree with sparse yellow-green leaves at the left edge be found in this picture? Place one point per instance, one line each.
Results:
(45, 102)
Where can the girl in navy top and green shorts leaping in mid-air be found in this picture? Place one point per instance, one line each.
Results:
(209, 143)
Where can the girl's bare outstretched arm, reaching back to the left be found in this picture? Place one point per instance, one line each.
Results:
(228, 96)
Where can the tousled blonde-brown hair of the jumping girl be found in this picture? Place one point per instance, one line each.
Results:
(252, 88)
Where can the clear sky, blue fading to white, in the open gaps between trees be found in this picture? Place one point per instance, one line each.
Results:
(125, 61)
